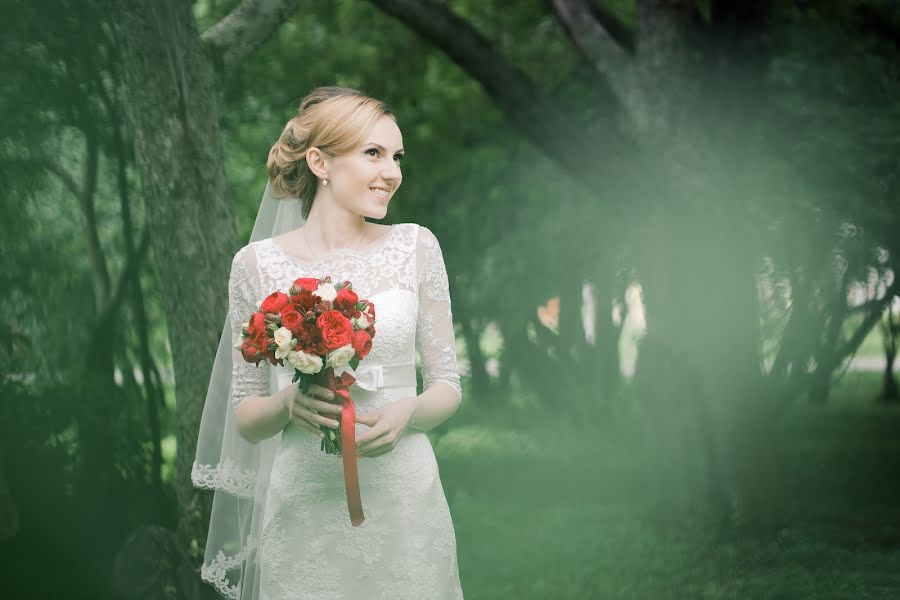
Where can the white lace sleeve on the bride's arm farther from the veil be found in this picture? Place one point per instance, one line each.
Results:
(435, 339)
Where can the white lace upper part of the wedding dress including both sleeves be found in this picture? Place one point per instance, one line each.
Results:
(404, 275)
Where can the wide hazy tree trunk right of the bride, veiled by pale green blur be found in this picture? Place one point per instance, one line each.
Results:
(709, 422)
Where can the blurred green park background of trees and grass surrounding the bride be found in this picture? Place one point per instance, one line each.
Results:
(671, 230)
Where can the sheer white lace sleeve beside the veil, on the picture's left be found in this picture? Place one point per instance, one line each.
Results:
(247, 379)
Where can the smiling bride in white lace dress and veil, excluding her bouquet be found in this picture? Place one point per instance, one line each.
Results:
(280, 525)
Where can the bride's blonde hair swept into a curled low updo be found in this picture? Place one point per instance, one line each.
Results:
(333, 119)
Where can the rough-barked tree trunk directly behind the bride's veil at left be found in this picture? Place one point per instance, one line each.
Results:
(172, 110)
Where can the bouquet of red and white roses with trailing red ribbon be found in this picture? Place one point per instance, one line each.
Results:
(323, 330)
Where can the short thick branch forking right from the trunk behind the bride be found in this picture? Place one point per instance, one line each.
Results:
(245, 29)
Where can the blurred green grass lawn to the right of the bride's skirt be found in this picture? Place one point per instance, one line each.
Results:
(536, 518)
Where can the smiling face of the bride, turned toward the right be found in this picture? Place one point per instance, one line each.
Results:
(365, 179)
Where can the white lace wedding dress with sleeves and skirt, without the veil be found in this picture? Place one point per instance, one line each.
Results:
(406, 547)
